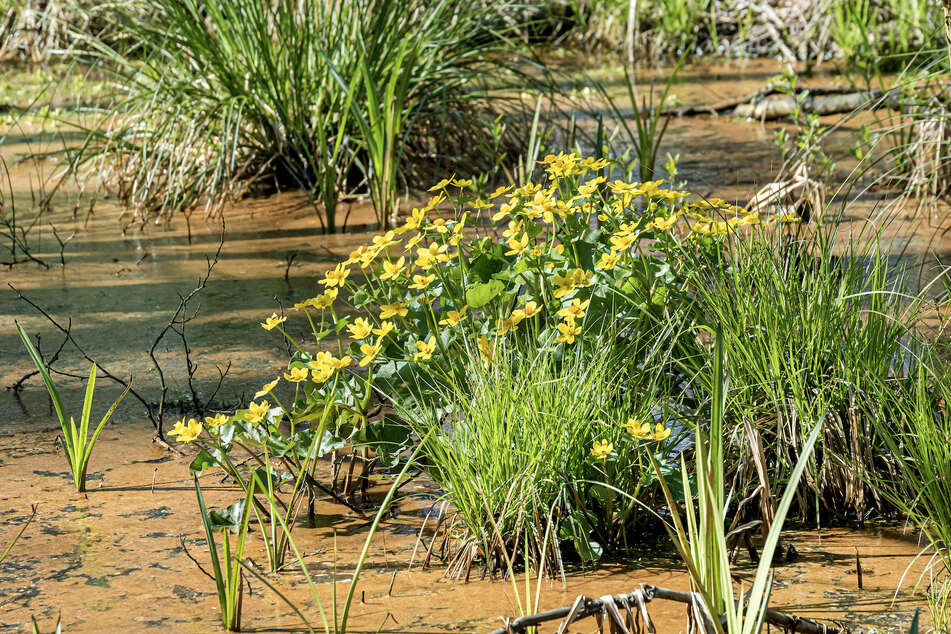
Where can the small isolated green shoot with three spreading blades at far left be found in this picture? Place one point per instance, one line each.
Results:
(77, 444)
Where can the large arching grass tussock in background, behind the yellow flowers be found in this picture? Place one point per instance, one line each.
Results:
(328, 97)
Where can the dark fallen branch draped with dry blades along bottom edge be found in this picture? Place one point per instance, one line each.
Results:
(609, 606)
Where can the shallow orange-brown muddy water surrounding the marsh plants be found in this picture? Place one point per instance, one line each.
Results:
(113, 559)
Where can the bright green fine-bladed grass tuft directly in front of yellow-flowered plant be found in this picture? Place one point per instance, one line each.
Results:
(557, 435)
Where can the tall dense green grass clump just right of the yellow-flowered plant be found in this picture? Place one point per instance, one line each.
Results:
(813, 321)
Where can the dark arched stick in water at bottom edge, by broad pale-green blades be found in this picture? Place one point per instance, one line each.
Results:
(647, 593)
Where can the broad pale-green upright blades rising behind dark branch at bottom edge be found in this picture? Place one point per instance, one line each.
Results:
(701, 538)
